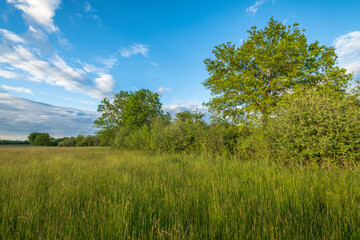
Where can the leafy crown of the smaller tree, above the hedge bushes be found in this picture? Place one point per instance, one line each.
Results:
(130, 110)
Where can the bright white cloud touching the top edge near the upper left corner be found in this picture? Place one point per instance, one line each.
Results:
(40, 12)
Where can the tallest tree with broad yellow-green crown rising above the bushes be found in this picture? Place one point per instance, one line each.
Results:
(248, 81)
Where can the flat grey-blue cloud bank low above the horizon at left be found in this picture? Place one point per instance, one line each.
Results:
(19, 117)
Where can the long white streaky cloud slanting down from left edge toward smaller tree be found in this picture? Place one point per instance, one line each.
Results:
(53, 70)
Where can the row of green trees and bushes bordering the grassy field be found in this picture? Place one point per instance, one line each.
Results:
(275, 96)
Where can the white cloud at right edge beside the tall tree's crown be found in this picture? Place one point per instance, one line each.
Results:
(348, 50)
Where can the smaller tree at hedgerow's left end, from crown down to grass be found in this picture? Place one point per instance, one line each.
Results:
(128, 111)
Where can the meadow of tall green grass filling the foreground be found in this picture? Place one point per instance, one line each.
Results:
(100, 193)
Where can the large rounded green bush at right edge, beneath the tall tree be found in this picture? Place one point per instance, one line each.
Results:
(317, 128)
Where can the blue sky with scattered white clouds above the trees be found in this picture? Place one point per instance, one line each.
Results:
(60, 58)
